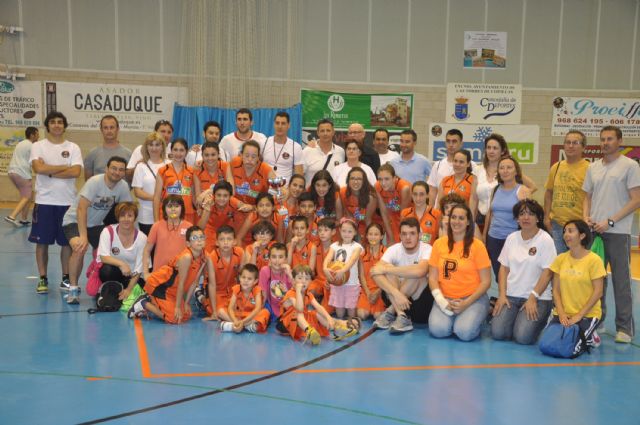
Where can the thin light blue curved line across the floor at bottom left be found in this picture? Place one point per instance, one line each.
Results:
(204, 387)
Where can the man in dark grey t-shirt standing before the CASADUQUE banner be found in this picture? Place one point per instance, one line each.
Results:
(96, 161)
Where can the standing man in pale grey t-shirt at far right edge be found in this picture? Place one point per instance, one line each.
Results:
(612, 187)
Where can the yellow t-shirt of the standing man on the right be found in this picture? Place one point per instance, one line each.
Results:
(566, 184)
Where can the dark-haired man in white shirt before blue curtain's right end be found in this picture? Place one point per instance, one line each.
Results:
(281, 153)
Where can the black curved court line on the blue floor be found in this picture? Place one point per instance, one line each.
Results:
(235, 386)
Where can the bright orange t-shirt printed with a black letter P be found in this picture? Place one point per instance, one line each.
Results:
(458, 276)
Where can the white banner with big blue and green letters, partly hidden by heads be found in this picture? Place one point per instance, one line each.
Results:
(522, 140)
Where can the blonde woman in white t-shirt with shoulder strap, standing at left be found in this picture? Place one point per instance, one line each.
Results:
(144, 177)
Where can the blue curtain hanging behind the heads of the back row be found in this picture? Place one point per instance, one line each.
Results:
(188, 121)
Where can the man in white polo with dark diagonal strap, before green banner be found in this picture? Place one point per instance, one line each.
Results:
(326, 155)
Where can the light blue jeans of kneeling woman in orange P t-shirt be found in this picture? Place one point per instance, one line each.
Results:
(466, 325)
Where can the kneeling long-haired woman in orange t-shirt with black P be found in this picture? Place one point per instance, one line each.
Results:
(459, 279)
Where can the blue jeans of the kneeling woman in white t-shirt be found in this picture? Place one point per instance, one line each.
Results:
(512, 322)
